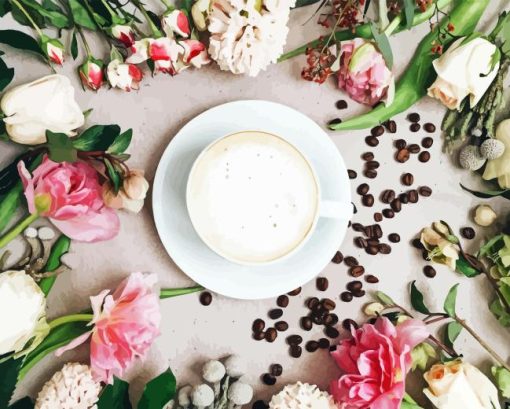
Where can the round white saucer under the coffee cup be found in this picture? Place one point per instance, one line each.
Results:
(174, 225)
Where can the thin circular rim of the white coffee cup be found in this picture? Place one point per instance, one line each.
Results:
(306, 236)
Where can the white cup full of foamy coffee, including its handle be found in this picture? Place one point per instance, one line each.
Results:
(254, 198)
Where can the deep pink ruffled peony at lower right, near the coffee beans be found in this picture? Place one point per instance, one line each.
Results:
(375, 361)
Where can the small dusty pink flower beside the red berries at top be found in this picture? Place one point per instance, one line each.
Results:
(363, 73)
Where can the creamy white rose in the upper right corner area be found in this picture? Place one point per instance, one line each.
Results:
(464, 70)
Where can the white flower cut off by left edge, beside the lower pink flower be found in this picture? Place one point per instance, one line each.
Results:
(22, 310)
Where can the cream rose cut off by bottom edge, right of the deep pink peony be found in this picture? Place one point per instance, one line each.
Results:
(459, 385)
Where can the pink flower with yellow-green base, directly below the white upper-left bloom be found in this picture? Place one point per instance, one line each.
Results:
(70, 195)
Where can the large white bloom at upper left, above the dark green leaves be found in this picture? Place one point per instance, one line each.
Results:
(45, 104)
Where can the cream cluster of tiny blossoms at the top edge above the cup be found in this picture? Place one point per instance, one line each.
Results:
(247, 36)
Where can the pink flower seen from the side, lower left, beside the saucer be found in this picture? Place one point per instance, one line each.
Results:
(125, 324)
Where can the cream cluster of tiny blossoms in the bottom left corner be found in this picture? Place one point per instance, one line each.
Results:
(73, 387)
